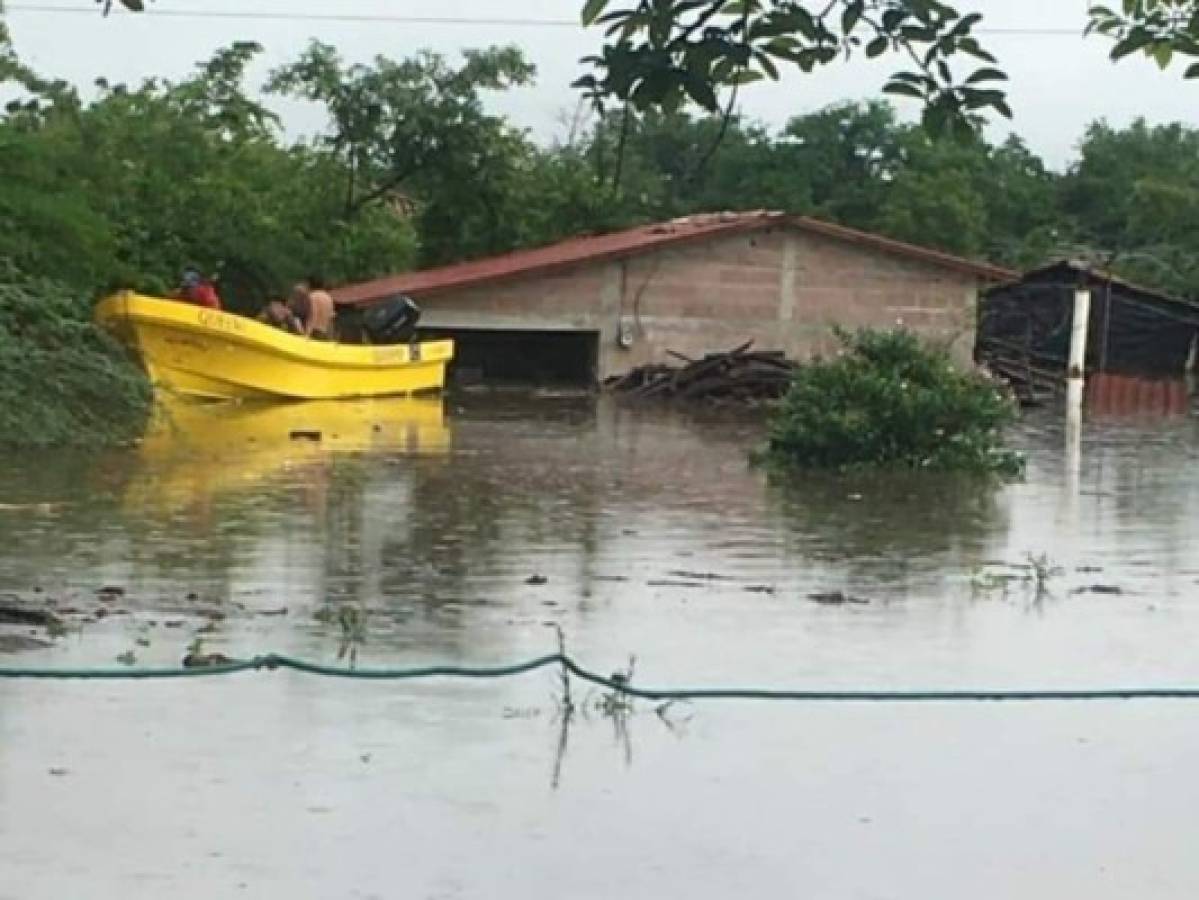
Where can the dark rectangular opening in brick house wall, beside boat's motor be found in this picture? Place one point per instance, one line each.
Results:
(523, 358)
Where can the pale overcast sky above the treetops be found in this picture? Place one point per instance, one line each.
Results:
(1061, 82)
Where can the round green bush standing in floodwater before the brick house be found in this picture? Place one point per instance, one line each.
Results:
(891, 402)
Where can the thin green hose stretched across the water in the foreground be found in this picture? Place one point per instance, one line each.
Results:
(274, 661)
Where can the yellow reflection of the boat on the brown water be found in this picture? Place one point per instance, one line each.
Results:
(197, 451)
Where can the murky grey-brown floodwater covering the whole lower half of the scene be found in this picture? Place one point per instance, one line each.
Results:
(650, 536)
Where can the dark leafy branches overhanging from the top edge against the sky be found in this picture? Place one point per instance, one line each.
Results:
(664, 53)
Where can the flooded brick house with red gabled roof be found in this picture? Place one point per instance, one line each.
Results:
(593, 307)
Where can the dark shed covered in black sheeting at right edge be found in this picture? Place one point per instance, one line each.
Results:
(1026, 327)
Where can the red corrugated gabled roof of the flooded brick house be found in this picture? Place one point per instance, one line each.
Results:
(576, 251)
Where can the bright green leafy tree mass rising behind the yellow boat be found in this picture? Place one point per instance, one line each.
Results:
(134, 186)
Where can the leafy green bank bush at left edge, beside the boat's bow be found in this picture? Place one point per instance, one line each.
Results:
(63, 380)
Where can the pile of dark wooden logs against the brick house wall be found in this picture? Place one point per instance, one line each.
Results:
(737, 377)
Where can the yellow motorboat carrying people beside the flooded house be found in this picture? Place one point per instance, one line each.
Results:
(204, 353)
